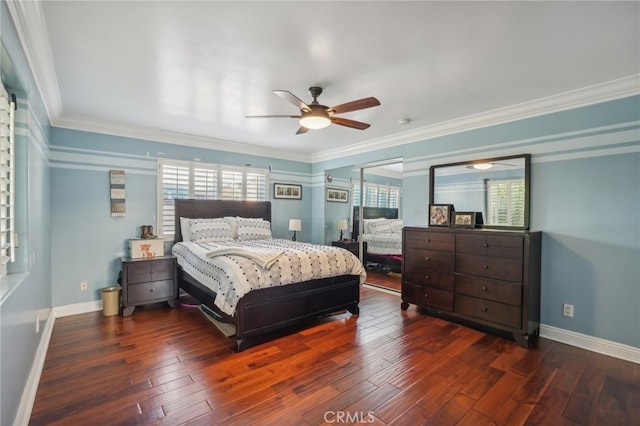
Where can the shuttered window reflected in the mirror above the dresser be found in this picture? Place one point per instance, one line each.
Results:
(505, 202)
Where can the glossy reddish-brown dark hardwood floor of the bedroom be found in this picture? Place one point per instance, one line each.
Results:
(385, 366)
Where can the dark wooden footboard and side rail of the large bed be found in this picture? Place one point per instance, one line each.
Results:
(266, 310)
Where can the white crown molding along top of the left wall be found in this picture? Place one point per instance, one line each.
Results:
(28, 18)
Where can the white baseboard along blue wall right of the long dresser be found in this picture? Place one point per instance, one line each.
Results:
(590, 343)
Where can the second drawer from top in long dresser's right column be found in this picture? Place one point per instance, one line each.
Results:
(490, 267)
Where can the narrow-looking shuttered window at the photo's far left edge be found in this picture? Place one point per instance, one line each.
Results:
(7, 176)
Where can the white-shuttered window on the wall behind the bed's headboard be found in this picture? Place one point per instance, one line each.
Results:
(201, 181)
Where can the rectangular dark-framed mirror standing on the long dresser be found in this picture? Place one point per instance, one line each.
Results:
(496, 187)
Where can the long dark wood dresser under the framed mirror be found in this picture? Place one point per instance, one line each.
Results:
(488, 279)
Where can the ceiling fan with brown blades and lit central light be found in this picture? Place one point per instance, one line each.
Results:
(315, 116)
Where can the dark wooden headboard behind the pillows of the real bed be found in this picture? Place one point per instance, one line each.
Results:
(218, 208)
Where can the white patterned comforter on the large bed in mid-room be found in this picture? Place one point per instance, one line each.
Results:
(233, 276)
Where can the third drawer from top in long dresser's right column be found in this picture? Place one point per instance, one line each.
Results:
(499, 291)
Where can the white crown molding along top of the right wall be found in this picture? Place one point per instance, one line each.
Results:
(603, 92)
